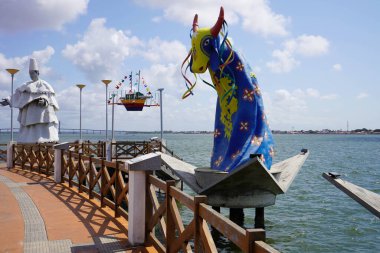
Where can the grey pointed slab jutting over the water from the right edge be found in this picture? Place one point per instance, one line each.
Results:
(366, 198)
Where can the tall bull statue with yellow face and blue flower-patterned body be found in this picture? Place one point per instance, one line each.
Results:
(241, 126)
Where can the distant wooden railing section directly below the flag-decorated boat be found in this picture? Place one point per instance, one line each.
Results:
(132, 149)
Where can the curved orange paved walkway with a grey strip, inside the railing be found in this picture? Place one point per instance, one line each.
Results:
(38, 215)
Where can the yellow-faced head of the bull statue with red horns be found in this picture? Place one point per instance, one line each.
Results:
(205, 43)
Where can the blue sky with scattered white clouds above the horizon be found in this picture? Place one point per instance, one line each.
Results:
(317, 62)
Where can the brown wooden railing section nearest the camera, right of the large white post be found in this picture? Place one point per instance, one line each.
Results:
(167, 223)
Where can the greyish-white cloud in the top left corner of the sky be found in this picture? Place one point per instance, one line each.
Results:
(22, 15)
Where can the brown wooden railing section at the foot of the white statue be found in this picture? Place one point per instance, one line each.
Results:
(35, 157)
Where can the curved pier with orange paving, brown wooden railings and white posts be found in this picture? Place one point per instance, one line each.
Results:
(70, 198)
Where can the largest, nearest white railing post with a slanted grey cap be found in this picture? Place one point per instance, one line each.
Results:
(137, 168)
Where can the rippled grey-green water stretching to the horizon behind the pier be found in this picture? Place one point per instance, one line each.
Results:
(313, 216)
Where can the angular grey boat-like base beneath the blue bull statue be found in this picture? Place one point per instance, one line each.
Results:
(250, 185)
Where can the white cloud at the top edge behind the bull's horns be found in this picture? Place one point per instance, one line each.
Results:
(255, 16)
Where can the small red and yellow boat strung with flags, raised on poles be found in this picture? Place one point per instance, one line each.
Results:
(133, 98)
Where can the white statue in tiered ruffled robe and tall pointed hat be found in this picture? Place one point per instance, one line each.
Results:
(37, 106)
